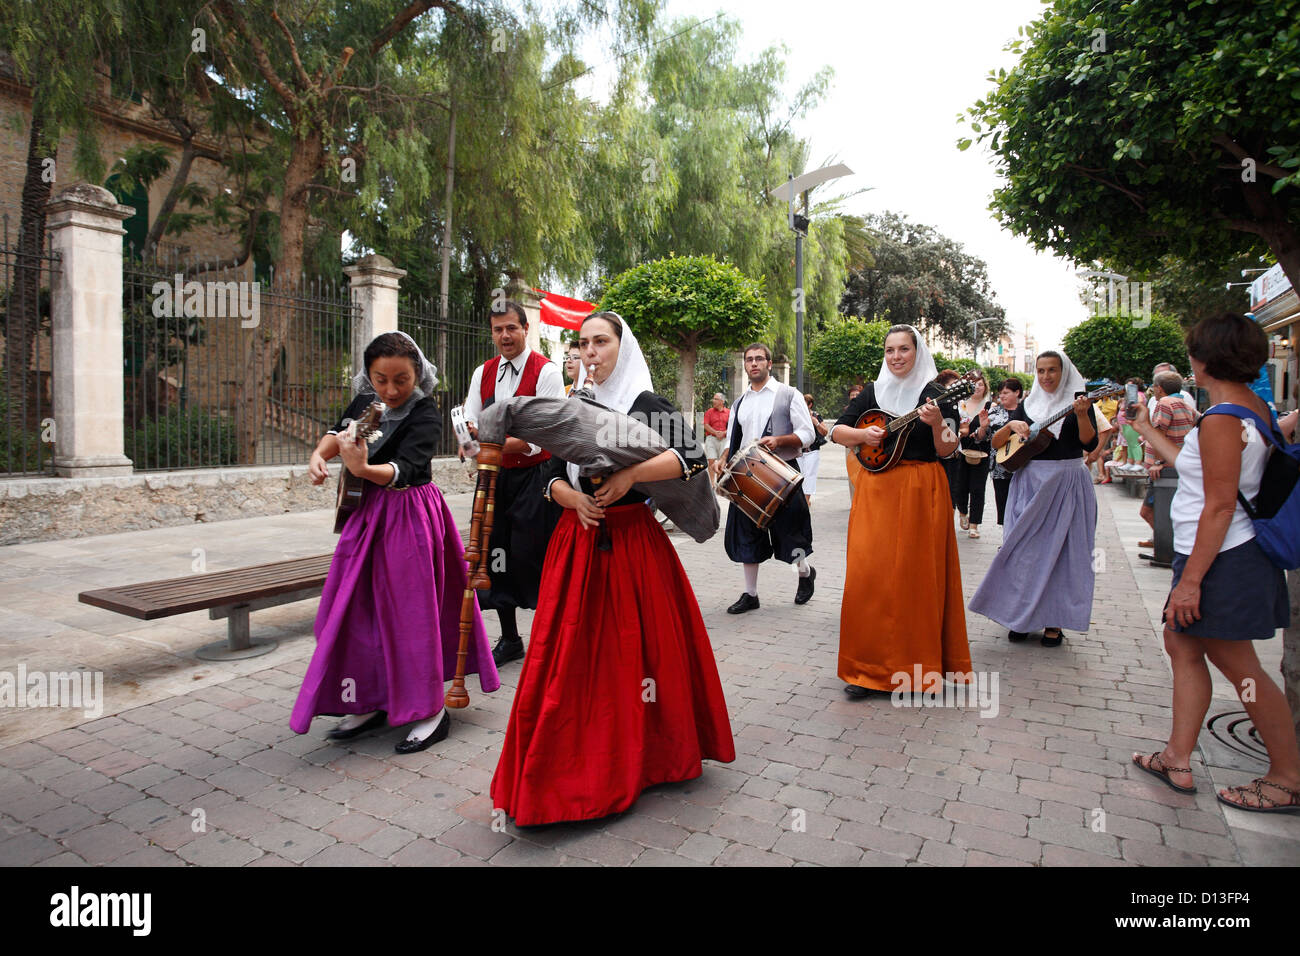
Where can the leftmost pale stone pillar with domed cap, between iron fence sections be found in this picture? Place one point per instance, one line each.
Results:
(86, 300)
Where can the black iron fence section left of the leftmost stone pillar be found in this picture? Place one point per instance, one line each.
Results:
(27, 379)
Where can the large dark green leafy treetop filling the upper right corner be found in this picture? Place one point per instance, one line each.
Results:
(1132, 132)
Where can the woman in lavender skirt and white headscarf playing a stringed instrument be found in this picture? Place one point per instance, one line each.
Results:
(1043, 577)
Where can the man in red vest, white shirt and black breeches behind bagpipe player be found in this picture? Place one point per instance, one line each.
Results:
(525, 520)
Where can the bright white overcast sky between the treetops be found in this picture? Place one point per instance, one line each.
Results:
(903, 73)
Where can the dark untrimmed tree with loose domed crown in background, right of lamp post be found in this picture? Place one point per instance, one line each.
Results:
(918, 276)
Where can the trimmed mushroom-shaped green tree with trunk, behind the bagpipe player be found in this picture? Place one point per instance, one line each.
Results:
(688, 304)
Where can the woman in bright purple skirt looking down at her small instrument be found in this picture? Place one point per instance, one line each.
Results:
(389, 621)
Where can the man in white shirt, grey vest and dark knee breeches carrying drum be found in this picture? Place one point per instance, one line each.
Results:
(777, 417)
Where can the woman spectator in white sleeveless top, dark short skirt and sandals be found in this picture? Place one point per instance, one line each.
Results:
(1228, 592)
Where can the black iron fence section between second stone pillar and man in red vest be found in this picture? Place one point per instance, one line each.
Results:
(457, 344)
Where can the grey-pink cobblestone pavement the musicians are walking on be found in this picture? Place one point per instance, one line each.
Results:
(193, 763)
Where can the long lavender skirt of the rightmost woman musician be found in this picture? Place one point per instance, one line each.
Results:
(1043, 574)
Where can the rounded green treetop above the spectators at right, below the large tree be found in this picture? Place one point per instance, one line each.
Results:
(1120, 348)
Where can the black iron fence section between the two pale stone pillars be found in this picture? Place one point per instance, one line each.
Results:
(223, 369)
